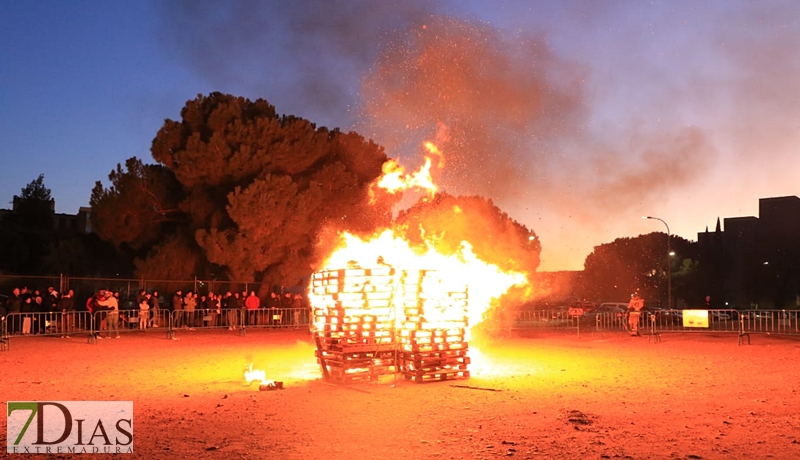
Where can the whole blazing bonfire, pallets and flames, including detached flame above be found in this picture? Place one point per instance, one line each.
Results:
(381, 305)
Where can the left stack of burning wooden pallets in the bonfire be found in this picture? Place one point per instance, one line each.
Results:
(354, 318)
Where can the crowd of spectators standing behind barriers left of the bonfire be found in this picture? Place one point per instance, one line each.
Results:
(33, 312)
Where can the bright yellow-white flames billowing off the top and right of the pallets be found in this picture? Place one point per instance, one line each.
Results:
(483, 280)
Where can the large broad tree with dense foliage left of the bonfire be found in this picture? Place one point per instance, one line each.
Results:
(240, 187)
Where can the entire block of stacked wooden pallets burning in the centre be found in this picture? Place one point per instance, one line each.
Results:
(370, 322)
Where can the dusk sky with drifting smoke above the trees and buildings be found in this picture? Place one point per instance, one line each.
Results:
(575, 117)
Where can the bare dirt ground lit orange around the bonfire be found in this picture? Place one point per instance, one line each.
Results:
(540, 395)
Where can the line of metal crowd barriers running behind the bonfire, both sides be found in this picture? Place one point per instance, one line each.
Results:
(110, 324)
